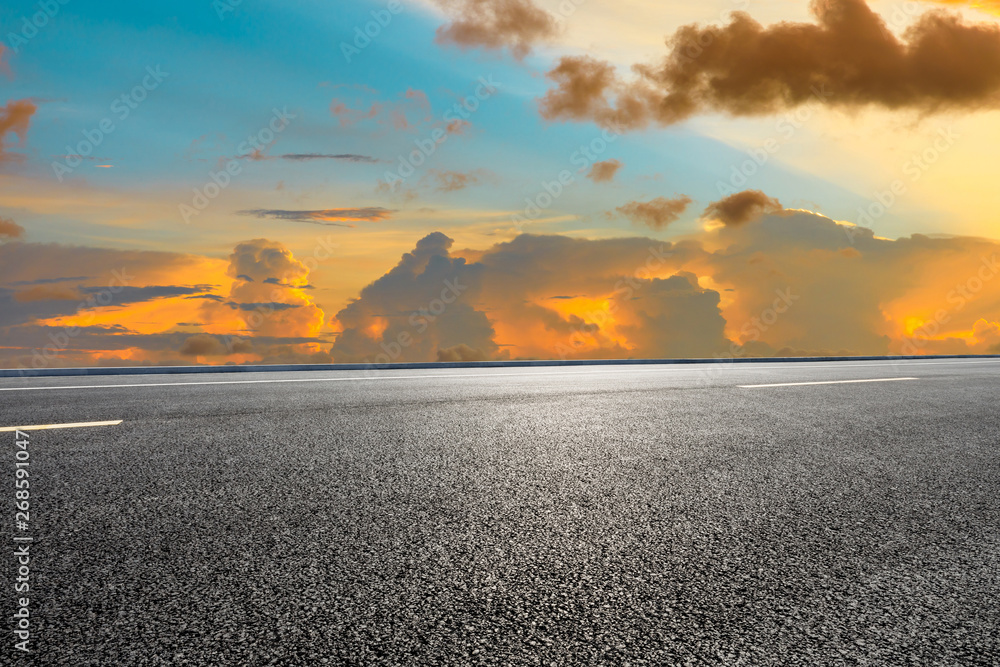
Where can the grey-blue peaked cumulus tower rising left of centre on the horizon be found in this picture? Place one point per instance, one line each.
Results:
(425, 305)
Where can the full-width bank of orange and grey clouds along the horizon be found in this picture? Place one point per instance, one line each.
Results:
(791, 283)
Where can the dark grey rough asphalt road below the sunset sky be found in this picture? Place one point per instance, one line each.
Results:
(613, 515)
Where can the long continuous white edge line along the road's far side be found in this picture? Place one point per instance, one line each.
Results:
(623, 369)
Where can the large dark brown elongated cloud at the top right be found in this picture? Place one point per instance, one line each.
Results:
(848, 59)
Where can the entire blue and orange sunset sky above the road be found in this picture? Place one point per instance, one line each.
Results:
(237, 181)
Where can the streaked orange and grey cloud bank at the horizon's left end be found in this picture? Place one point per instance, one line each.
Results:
(126, 307)
